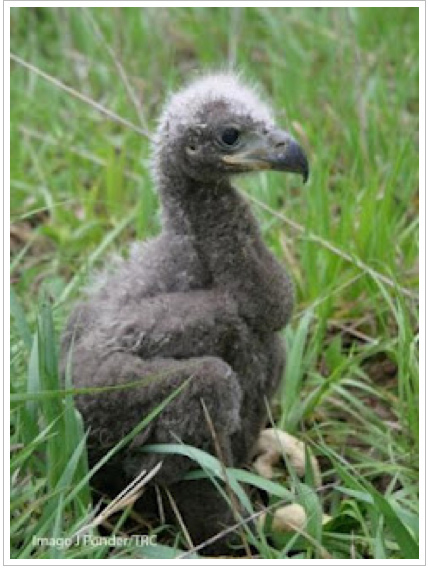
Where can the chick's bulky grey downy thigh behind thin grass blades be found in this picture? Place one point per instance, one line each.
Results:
(112, 414)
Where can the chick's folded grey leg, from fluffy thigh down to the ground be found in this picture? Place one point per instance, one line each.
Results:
(209, 387)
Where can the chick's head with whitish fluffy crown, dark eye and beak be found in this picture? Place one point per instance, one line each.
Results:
(217, 127)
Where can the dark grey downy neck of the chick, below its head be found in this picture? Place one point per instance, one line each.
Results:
(227, 240)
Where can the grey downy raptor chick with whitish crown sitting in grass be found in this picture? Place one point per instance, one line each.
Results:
(199, 308)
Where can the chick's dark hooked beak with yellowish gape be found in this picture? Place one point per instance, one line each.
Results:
(273, 150)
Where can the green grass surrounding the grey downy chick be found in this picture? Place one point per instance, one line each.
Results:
(345, 82)
